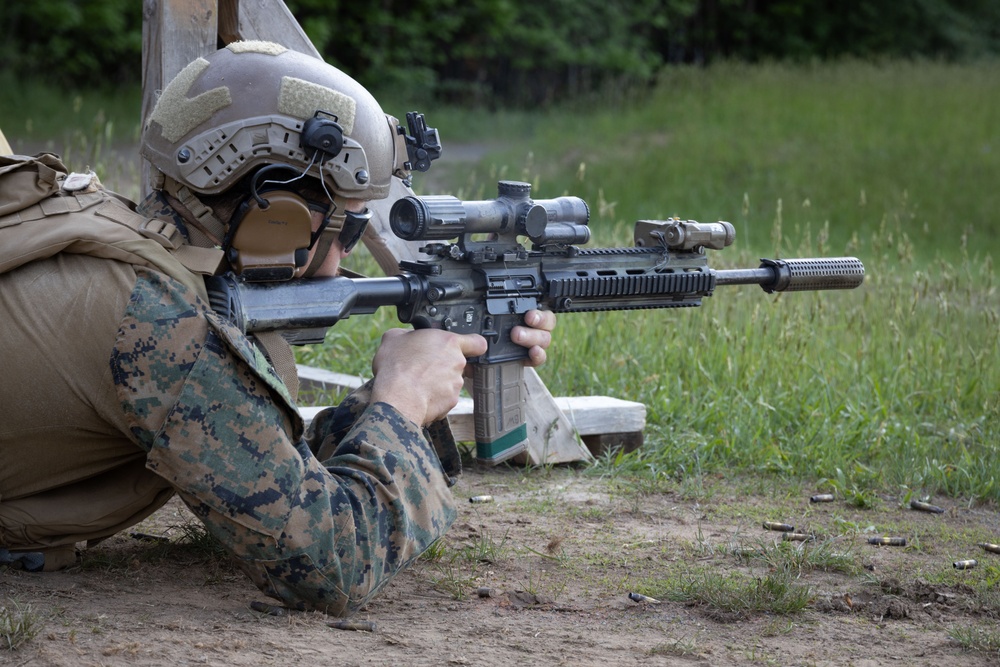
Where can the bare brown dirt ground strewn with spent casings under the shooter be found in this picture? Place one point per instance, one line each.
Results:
(560, 551)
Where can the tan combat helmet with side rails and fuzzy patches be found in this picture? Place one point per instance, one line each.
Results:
(247, 105)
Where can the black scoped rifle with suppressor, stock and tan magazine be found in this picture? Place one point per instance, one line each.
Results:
(486, 281)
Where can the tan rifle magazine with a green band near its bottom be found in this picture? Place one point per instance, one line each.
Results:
(498, 410)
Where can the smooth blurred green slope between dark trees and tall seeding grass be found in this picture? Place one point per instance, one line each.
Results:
(853, 145)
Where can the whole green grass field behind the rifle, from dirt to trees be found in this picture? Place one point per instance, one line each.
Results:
(893, 385)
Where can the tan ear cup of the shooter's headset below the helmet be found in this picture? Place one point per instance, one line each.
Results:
(271, 242)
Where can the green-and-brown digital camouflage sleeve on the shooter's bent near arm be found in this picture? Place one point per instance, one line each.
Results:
(324, 533)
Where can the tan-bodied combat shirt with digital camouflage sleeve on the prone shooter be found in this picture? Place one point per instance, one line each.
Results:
(320, 519)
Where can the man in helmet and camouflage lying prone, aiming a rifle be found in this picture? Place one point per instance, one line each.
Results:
(121, 386)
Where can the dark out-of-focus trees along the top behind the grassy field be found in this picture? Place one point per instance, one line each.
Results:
(520, 52)
